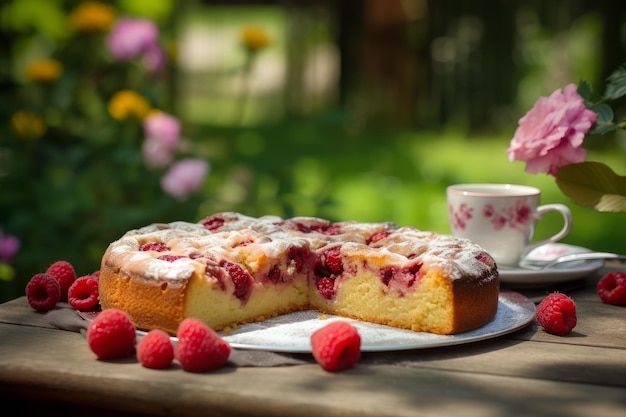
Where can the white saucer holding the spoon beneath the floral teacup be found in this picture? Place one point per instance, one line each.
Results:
(569, 271)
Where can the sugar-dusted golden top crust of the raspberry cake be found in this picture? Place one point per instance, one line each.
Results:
(272, 235)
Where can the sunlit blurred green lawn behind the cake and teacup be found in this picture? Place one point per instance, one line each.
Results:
(312, 168)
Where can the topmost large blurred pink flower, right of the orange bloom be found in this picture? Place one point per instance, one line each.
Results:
(132, 38)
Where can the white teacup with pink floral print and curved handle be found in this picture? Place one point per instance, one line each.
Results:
(501, 218)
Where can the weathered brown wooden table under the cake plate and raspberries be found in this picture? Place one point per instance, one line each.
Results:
(526, 373)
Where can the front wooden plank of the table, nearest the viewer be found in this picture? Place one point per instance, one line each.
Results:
(369, 390)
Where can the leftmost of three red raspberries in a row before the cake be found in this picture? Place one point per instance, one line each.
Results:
(111, 335)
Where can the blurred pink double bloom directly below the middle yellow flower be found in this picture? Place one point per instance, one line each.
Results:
(162, 139)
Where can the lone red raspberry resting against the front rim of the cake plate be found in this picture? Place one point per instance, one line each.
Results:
(336, 346)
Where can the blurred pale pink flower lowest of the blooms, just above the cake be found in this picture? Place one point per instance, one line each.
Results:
(185, 177)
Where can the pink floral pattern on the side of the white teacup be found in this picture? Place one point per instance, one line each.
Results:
(514, 217)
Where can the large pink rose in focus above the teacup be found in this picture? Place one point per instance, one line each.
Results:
(551, 134)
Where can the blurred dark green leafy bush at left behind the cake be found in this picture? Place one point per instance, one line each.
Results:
(76, 182)
